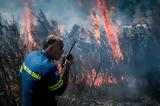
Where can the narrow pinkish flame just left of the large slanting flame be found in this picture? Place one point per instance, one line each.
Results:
(95, 23)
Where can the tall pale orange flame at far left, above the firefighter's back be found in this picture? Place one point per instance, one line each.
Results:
(27, 25)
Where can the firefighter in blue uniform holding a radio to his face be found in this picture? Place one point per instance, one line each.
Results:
(40, 79)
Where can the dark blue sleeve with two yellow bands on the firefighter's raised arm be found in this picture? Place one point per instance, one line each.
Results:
(54, 81)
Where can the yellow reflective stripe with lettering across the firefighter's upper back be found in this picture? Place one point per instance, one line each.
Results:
(33, 74)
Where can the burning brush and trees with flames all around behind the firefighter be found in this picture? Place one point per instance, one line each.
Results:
(109, 61)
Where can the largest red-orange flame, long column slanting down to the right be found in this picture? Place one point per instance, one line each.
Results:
(111, 31)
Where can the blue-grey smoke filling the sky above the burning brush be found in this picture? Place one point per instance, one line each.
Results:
(70, 12)
